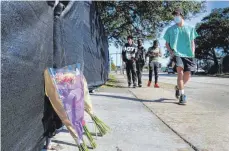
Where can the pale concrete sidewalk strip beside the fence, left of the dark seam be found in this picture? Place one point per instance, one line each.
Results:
(134, 126)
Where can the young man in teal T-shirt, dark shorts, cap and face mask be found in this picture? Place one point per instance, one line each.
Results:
(180, 42)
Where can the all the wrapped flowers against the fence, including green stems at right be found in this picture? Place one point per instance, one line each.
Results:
(69, 95)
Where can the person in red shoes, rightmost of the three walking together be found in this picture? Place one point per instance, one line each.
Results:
(153, 53)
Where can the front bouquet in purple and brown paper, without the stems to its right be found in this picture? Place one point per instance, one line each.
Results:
(65, 89)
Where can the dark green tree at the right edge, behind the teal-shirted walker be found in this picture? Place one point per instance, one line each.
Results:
(214, 36)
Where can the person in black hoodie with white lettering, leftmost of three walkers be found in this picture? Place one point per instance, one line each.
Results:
(128, 55)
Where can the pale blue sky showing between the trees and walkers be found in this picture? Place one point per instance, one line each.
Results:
(210, 5)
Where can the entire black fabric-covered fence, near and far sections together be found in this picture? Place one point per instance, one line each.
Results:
(35, 36)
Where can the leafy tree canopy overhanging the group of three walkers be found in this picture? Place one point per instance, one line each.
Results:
(141, 19)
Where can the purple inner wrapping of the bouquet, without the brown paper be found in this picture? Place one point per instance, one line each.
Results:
(71, 93)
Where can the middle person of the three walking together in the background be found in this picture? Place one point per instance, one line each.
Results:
(140, 61)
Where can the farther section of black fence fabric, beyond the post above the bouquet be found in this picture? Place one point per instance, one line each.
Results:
(79, 37)
